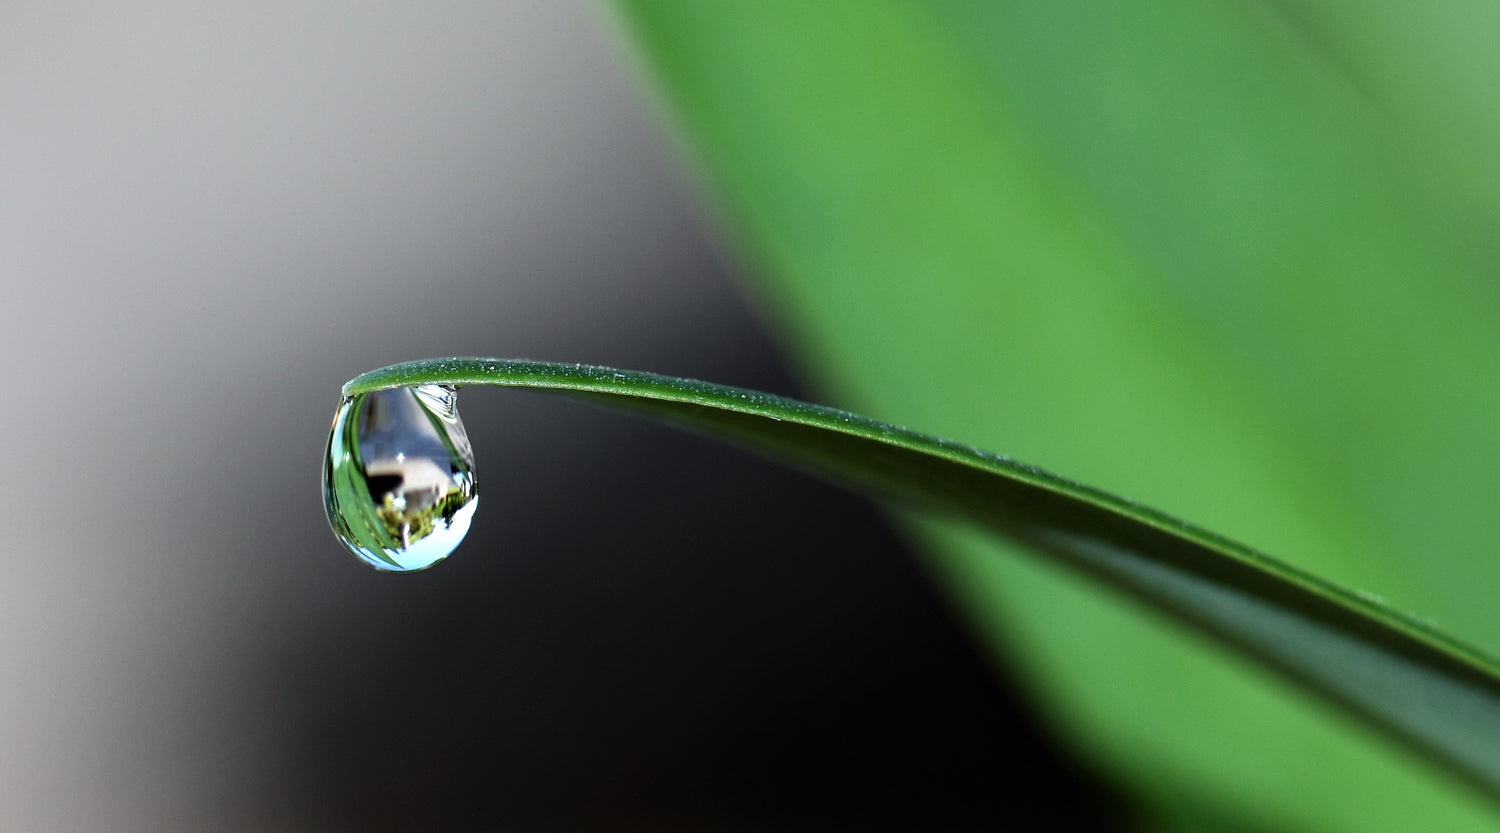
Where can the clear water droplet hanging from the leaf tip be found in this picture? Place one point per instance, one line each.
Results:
(398, 480)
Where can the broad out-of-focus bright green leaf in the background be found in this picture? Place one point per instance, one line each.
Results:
(1223, 257)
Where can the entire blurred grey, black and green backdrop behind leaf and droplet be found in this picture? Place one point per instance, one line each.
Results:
(1232, 259)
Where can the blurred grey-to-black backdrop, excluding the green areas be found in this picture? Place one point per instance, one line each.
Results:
(211, 218)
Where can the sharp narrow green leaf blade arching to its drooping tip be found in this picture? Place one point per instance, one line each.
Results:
(1397, 672)
